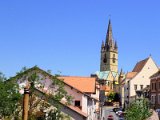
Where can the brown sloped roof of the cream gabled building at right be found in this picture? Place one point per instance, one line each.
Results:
(140, 65)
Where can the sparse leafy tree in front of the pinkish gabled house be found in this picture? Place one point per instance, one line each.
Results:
(50, 101)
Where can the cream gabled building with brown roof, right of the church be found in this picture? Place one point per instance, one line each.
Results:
(139, 78)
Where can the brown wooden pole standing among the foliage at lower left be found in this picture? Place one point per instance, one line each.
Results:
(25, 104)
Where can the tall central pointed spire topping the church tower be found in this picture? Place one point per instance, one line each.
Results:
(109, 39)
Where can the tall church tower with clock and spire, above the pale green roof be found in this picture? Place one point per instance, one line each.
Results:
(109, 52)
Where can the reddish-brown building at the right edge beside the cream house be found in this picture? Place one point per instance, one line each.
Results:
(155, 90)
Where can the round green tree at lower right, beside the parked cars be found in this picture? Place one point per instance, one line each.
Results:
(138, 110)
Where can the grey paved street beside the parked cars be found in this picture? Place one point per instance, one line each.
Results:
(108, 111)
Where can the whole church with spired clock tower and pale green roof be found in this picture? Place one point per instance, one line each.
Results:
(109, 61)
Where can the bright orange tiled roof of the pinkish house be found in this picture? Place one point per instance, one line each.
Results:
(83, 84)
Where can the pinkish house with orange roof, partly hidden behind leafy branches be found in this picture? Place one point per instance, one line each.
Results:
(84, 91)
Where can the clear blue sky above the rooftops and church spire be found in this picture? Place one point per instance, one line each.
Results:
(66, 35)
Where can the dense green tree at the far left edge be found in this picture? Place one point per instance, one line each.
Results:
(9, 98)
